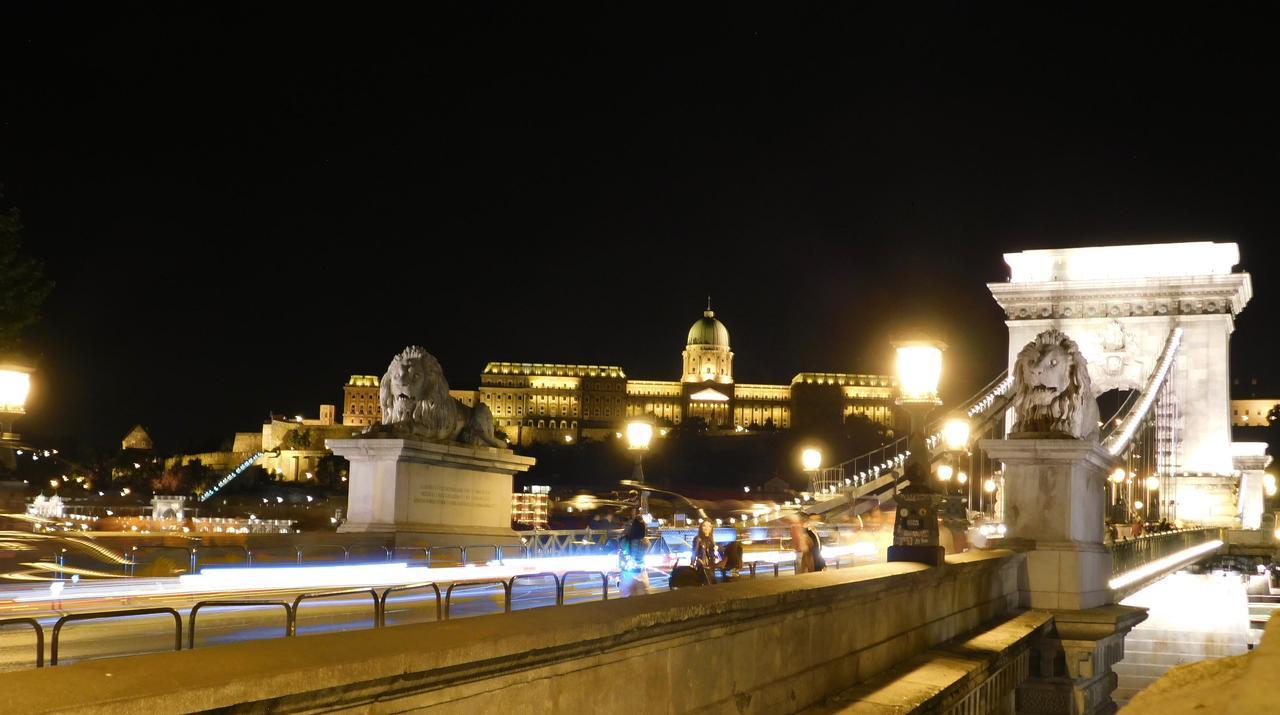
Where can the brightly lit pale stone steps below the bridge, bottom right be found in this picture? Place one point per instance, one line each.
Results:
(1191, 618)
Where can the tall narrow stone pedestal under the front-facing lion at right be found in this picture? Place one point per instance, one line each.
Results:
(1054, 511)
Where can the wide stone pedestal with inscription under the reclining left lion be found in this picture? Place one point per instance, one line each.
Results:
(431, 494)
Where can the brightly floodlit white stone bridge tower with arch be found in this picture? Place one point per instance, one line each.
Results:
(1121, 304)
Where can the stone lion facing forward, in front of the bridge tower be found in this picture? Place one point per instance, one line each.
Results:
(1053, 392)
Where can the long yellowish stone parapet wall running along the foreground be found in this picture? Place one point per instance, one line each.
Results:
(756, 647)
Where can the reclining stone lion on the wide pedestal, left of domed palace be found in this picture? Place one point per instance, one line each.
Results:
(417, 404)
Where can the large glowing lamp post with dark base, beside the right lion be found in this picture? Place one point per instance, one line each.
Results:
(916, 528)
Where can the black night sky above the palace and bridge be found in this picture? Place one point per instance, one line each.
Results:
(241, 207)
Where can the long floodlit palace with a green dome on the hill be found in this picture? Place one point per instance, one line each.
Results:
(534, 402)
